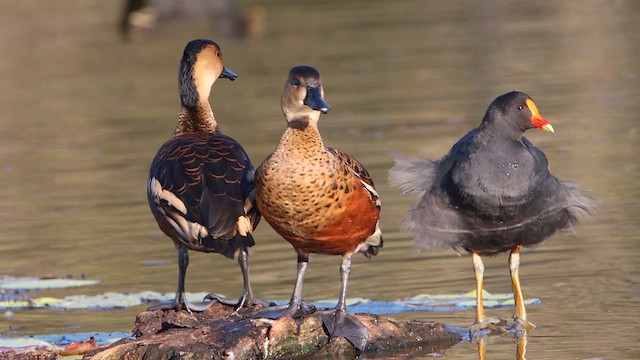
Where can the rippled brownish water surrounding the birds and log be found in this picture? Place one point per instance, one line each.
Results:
(82, 114)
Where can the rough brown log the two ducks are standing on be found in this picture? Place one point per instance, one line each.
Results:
(221, 333)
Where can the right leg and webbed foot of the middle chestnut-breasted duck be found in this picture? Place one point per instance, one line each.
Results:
(337, 321)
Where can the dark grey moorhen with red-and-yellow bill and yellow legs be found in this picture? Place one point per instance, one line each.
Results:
(492, 193)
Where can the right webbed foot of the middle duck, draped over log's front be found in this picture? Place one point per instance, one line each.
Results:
(339, 323)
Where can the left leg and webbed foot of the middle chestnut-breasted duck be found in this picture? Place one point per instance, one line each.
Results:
(296, 307)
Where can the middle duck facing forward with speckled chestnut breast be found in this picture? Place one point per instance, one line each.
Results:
(319, 199)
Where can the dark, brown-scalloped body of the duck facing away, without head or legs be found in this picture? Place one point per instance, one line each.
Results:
(208, 181)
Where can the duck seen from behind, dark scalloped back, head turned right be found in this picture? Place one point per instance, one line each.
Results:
(200, 186)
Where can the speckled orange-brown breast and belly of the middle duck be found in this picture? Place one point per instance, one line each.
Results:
(316, 203)
